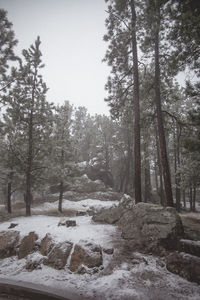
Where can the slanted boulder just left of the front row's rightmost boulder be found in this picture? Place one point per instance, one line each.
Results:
(58, 256)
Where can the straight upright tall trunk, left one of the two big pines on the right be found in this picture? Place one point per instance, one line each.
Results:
(137, 155)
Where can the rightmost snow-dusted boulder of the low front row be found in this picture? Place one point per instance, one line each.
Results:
(85, 254)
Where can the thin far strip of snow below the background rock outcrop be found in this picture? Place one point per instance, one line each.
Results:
(82, 205)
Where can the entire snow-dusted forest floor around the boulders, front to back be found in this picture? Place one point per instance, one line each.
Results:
(126, 274)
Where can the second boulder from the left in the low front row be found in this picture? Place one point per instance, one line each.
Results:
(27, 245)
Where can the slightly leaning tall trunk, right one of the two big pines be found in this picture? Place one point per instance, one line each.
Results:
(161, 133)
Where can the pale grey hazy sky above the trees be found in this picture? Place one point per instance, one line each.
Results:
(71, 33)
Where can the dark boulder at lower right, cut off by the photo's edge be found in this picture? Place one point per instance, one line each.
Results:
(184, 265)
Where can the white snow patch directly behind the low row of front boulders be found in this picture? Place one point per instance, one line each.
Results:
(85, 229)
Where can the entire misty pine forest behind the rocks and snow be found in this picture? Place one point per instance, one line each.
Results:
(149, 146)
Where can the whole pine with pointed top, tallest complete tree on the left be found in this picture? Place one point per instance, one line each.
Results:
(31, 115)
